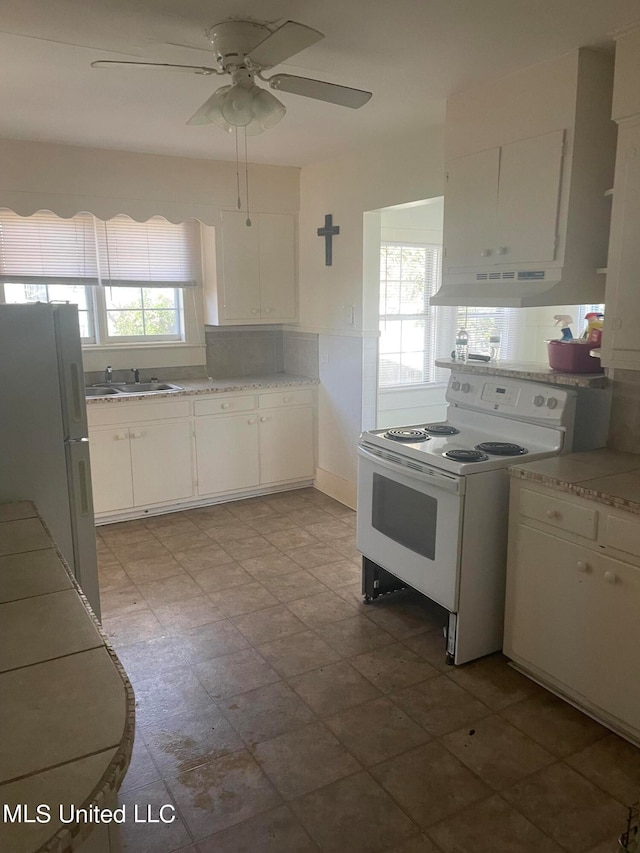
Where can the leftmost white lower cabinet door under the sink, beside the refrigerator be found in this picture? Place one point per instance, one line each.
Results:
(111, 469)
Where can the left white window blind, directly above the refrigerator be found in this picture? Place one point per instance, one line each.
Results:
(47, 249)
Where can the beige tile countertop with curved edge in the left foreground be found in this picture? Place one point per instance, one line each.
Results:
(66, 704)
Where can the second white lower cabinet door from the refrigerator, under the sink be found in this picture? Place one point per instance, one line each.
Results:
(161, 460)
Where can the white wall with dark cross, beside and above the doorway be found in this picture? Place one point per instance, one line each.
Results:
(409, 169)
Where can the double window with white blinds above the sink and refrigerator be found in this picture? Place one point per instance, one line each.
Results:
(126, 276)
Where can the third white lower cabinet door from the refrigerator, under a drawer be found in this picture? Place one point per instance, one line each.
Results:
(227, 453)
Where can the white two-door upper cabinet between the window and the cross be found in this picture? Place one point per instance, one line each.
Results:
(250, 271)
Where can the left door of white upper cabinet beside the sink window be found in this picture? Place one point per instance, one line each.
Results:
(241, 267)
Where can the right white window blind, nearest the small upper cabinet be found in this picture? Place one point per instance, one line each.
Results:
(156, 252)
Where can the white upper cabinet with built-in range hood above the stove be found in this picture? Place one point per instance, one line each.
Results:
(528, 160)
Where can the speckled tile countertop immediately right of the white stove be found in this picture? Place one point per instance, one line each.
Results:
(607, 476)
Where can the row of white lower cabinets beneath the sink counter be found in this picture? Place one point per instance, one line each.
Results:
(154, 454)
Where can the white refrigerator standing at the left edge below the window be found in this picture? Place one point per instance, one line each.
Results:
(43, 429)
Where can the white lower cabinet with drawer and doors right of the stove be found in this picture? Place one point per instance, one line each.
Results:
(572, 611)
